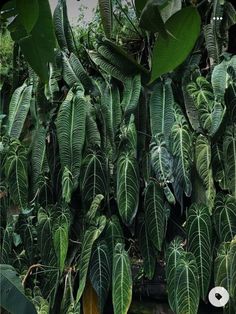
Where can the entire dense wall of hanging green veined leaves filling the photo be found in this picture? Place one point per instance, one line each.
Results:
(120, 148)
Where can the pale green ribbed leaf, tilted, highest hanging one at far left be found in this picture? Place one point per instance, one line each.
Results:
(18, 110)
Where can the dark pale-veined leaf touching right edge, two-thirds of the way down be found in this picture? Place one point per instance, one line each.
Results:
(225, 217)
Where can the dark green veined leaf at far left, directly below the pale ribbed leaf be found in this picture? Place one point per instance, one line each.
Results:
(17, 174)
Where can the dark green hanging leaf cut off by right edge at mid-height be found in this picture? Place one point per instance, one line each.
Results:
(229, 154)
